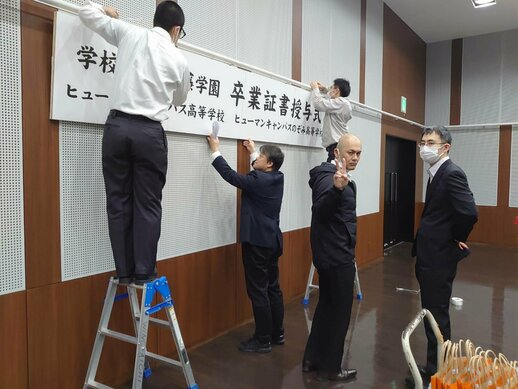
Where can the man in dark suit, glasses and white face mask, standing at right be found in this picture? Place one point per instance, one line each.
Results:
(448, 217)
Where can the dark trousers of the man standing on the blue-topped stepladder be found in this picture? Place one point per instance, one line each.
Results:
(134, 152)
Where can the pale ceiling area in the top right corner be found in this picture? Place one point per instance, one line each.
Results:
(438, 20)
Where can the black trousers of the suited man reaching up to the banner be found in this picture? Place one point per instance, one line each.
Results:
(262, 285)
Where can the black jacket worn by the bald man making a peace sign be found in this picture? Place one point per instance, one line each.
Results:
(333, 219)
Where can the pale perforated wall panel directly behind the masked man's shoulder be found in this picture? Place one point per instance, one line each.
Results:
(476, 152)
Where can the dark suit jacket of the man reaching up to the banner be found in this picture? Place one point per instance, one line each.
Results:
(261, 199)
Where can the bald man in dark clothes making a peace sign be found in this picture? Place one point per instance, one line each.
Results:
(333, 238)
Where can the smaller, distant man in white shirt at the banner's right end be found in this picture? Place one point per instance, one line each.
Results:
(333, 101)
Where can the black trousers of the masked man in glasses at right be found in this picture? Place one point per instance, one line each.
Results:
(436, 287)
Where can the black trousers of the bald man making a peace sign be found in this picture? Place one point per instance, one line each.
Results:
(325, 346)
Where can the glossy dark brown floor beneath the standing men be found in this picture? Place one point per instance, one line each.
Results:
(487, 281)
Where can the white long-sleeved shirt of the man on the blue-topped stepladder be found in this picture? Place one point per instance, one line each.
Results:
(151, 73)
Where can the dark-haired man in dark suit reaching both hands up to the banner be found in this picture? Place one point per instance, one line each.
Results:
(260, 237)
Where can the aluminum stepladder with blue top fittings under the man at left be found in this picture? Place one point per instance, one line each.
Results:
(141, 321)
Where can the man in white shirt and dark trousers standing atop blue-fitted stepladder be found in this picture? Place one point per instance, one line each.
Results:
(151, 75)
